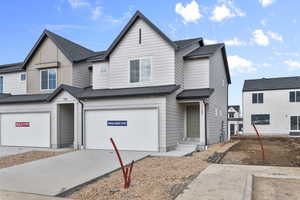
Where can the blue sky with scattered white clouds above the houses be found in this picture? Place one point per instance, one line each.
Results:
(262, 37)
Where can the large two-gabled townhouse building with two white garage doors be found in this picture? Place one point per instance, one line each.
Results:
(146, 91)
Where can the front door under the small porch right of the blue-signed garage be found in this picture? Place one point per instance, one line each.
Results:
(193, 121)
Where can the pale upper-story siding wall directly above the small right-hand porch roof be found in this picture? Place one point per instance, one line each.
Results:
(196, 74)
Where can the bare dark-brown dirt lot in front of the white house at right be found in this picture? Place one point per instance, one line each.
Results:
(279, 151)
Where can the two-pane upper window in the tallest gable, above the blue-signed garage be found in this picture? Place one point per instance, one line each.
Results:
(140, 70)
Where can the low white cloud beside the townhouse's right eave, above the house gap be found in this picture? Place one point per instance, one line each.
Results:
(240, 65)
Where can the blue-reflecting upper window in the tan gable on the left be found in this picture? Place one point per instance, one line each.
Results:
(48, 79)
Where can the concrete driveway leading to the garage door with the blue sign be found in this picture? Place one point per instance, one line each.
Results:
(55, 175)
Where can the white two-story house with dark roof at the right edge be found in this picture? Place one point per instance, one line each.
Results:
(273, 105)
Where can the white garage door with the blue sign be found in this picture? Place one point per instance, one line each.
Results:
(134, 129)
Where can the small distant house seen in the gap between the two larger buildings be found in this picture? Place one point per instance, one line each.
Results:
(235, 120)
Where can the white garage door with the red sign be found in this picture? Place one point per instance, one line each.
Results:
(25, 129)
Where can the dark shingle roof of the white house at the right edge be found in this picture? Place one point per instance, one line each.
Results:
(272, 84)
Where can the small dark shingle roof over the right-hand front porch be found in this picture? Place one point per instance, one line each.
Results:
(195, 93)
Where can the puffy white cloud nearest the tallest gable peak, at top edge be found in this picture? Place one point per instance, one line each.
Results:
(190, 12)
